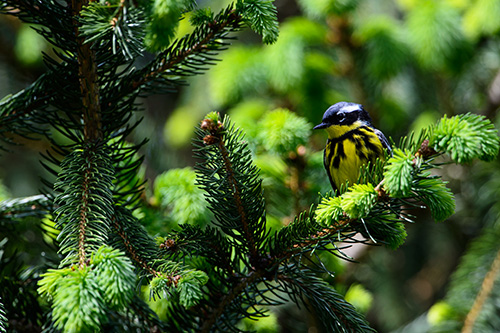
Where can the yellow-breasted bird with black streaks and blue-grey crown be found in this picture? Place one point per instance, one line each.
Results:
(352, 142)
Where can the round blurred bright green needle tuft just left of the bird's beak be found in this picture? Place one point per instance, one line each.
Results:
(282, 131)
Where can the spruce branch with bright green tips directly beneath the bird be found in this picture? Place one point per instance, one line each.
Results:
(376, 211)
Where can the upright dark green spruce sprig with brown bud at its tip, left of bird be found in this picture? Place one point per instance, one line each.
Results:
(226, 173)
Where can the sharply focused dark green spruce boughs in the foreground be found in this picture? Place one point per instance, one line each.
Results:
(235, 267)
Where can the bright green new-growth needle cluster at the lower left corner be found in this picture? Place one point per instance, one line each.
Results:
(80, 296)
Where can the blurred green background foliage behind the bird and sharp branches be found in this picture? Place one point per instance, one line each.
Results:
(408, 62)
